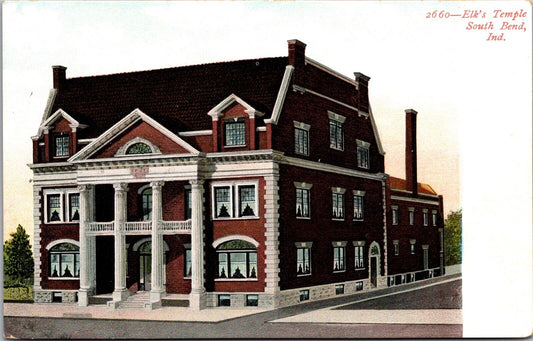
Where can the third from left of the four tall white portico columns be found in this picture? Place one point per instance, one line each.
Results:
(157, 290)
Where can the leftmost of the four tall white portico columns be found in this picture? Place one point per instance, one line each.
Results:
(85, 255)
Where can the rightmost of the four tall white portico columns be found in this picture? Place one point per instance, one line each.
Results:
(197, 296)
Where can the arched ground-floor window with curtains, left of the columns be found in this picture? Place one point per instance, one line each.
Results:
(65, 261)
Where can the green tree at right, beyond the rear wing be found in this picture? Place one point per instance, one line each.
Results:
(453, 230)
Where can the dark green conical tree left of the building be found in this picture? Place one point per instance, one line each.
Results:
(18, 259)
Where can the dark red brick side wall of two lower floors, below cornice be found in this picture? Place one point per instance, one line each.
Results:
(322, 230)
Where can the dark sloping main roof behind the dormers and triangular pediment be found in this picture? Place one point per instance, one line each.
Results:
(178, 98)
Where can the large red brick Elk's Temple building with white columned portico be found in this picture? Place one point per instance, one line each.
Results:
(248, 183)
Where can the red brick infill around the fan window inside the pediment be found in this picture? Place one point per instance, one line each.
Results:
(144, 130)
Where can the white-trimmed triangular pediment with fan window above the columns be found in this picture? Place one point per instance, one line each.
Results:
(135, 135)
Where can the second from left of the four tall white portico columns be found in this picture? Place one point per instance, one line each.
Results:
(120, 292)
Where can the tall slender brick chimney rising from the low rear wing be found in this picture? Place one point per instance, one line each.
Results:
(410, 151)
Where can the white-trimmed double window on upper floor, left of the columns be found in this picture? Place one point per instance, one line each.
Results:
(61, 205)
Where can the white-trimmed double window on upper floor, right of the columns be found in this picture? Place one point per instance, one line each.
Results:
(235, 200)
